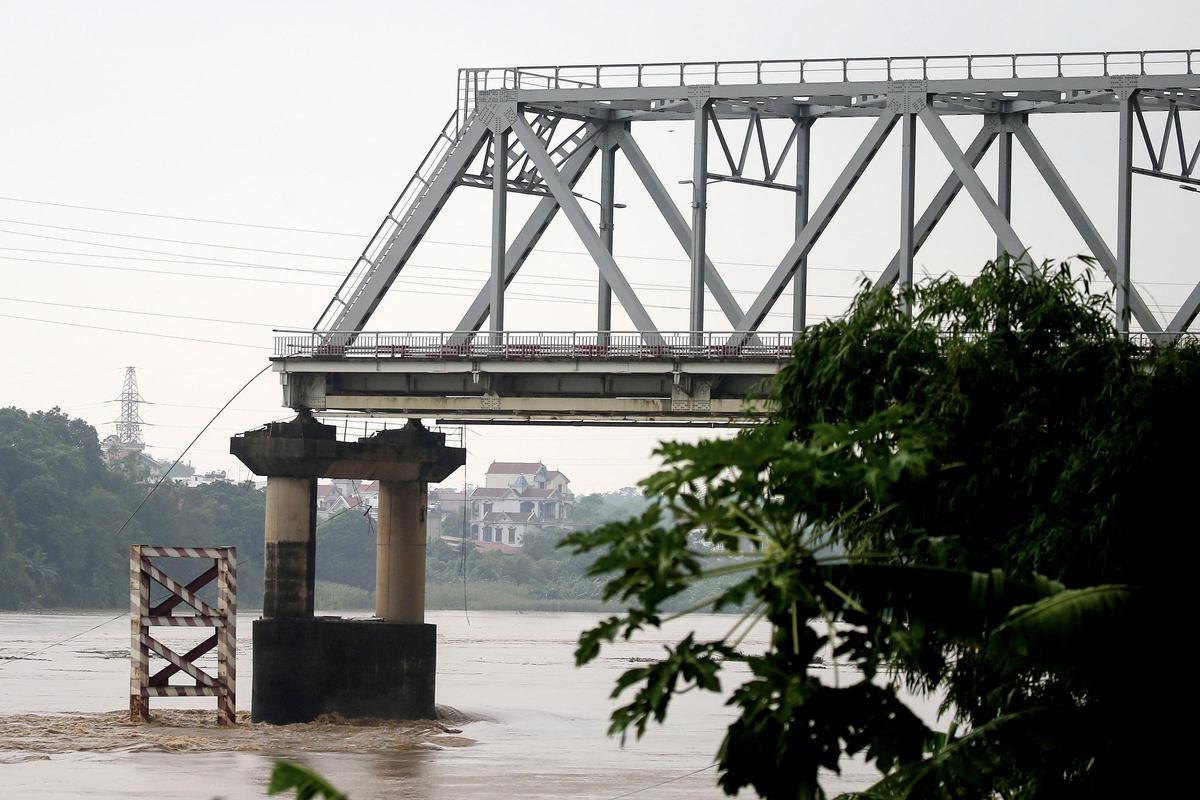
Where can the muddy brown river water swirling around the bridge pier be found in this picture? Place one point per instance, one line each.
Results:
(519, 720)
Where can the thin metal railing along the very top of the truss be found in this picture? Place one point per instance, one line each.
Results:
(907, 68)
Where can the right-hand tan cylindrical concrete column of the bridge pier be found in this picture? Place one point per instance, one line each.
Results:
(400, 552)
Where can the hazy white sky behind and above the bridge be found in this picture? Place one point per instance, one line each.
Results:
(311, 116)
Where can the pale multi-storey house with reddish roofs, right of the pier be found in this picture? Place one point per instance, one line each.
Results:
(518, 498)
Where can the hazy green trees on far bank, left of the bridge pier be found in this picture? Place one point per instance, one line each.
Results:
(62, 509)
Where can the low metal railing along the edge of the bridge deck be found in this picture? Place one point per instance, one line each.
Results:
(532, 346)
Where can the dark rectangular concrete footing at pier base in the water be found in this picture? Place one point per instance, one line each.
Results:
(355, 669)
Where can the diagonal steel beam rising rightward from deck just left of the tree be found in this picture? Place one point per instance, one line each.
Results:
(817, 226)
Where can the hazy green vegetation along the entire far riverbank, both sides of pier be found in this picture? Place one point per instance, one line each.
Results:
(62, 510)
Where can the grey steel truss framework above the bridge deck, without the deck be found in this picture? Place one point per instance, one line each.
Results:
(537, 130)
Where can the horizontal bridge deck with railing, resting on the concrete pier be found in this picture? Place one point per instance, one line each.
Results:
(515, 376)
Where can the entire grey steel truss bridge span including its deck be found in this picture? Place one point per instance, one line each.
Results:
(537, 130)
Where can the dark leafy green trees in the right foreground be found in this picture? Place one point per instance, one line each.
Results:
(961, 504)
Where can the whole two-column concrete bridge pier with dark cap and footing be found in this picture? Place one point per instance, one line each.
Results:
(304, 665)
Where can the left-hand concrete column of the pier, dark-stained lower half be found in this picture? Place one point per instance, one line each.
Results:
(290, 548)
